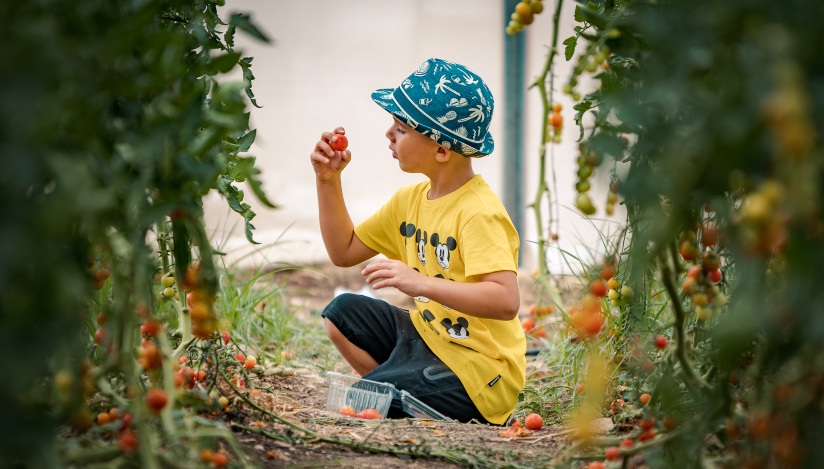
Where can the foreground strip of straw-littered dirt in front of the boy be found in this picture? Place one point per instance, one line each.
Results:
(301, 399)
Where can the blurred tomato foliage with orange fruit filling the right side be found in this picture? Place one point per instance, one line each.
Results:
(707, 116)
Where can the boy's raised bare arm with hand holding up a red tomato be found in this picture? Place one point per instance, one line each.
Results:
(337, 229)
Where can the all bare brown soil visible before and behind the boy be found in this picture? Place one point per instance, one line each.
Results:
(301, 398)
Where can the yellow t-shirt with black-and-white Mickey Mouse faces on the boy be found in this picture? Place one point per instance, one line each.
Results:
(458, 237)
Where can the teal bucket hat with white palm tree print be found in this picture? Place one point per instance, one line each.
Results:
(446, 102)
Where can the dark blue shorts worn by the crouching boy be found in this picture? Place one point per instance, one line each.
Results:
(387, 334)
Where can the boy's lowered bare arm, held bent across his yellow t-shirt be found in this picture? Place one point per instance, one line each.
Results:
(494, 296)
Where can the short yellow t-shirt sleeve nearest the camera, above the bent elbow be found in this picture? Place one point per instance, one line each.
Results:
(490, 244)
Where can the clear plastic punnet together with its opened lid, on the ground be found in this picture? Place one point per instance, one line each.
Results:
(363, 394)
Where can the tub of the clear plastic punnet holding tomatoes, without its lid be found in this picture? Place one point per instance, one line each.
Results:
(358, 393)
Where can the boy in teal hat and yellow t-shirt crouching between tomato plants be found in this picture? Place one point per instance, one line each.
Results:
(449, 244)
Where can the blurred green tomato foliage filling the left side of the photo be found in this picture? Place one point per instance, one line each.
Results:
(114, 128)
